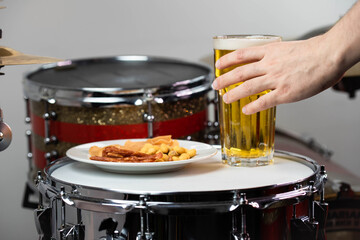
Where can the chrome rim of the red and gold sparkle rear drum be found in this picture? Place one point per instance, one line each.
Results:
(67, 96)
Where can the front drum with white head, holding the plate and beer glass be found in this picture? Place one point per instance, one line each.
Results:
(205, 200)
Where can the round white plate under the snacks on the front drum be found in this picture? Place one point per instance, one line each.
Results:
(81, 153)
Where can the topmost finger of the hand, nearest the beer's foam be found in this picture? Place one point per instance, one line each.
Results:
(240, 56)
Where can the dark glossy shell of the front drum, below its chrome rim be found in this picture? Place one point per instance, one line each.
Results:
(270, 224)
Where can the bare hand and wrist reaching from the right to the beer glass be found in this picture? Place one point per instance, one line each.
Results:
(293, 70)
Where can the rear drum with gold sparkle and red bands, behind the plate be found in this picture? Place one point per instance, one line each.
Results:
(75, 102)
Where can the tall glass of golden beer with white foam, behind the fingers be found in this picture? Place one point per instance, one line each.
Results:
(246, 140)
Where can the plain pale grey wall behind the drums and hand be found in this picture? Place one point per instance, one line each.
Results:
(180, 29)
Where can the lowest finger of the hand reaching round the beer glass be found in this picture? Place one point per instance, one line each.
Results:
(264, 102)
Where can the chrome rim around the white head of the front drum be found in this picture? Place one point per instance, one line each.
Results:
(279, 153)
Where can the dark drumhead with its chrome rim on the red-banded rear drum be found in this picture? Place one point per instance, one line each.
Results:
(92, 80)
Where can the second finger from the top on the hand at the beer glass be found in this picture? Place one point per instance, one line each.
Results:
(239, 74)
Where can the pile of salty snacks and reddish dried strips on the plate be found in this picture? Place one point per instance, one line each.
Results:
(158, 149)
